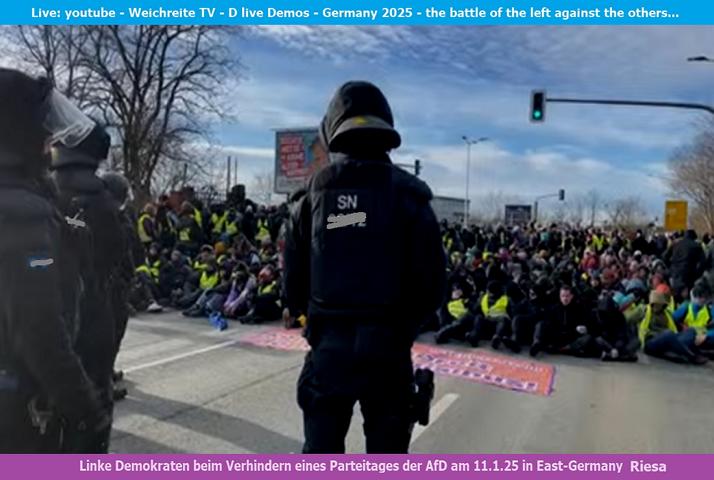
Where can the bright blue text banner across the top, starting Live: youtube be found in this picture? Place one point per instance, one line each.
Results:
(357, 12)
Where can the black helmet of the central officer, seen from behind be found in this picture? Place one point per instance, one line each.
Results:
(359, 114)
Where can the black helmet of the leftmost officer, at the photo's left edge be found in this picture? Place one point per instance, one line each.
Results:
(24, 108)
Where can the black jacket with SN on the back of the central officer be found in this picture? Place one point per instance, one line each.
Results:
(388, 268)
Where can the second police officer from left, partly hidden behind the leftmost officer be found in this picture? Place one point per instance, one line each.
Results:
(84, 197)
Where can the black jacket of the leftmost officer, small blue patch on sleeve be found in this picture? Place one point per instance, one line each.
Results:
(35, 341)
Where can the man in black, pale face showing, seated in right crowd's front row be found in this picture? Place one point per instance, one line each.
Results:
(569, 329)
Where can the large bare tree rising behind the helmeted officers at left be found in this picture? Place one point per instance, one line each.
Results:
(158, 88)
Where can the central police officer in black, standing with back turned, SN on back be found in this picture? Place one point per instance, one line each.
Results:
(364, 259)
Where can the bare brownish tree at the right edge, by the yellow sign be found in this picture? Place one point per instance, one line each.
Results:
(692, 175)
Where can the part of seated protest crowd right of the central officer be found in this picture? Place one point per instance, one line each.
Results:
(582, 292)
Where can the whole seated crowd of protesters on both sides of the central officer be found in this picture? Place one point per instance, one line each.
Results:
(591, 292)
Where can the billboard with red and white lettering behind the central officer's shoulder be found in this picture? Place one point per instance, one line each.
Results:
(298, 154)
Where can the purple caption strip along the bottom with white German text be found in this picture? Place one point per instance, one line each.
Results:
(356, 467)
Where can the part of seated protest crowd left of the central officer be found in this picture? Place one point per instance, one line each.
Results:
(217, 260)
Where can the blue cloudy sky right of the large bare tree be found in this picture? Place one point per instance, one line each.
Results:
(445, 82)
